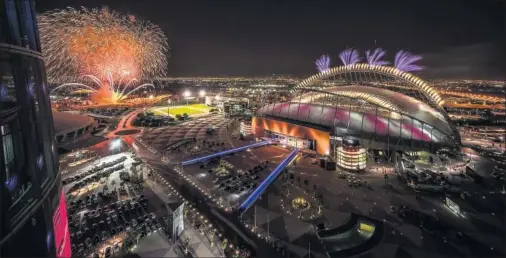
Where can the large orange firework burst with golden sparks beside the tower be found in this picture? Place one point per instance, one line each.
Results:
(101, 51)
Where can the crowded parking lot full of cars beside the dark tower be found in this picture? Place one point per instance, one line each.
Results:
(109, 209)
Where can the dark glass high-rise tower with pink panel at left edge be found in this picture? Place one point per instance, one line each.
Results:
(33, 219)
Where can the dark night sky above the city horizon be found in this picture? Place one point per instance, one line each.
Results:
(459, 39)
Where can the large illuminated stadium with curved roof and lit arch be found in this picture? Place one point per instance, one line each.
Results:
(344, 111)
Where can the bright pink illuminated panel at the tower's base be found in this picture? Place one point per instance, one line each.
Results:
(61, 229)
